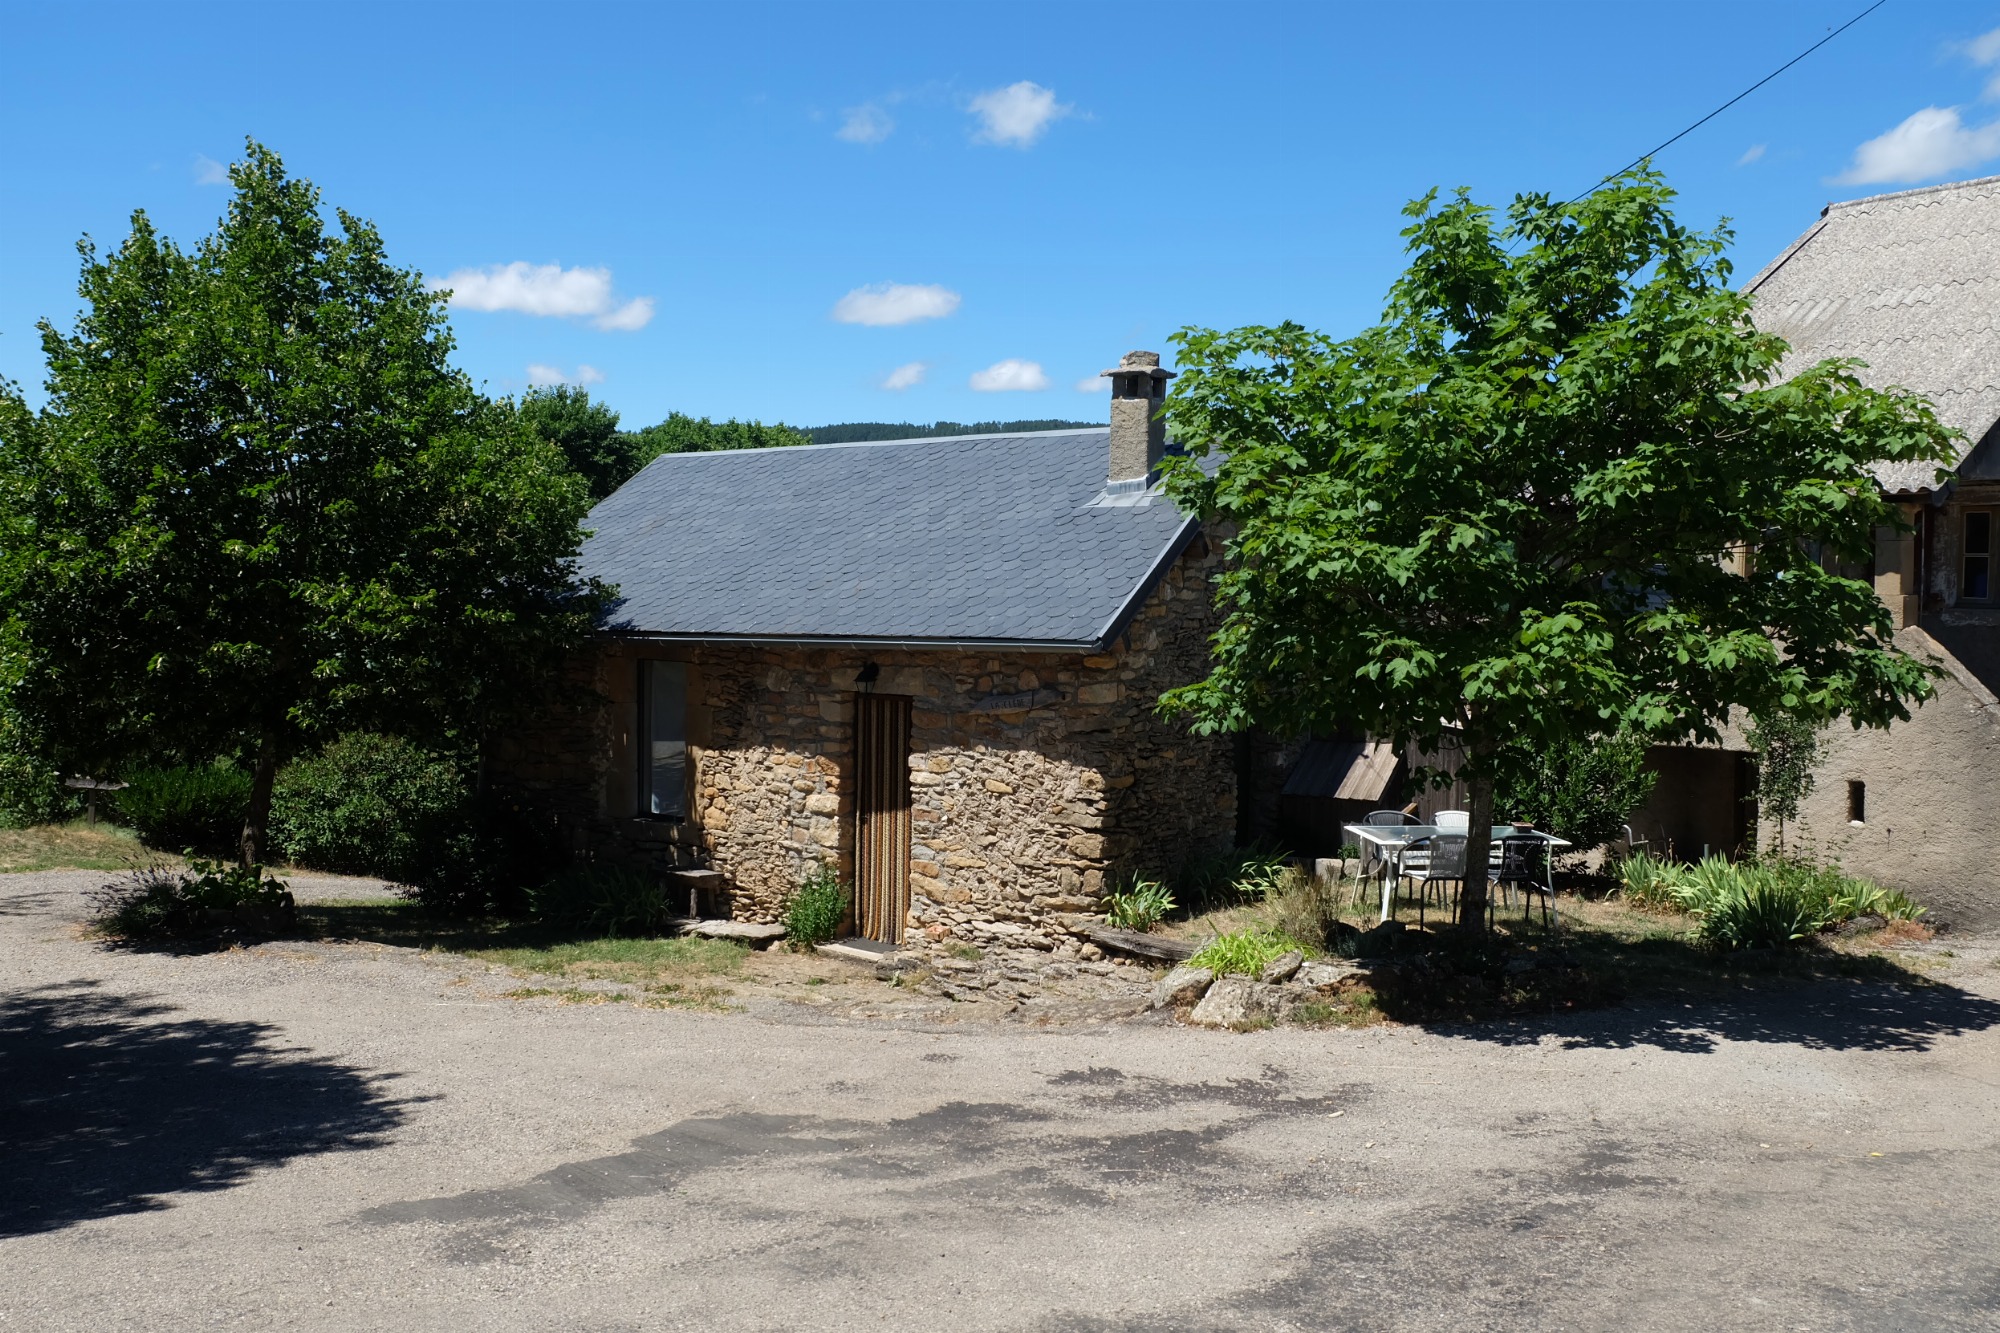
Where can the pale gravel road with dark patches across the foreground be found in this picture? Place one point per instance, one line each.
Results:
(353, 1138)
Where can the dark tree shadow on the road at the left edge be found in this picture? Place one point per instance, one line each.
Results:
(109, 1104)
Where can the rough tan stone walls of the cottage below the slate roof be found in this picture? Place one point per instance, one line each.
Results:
(1035, 780)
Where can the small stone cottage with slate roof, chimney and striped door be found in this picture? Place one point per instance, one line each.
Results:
(931, 663)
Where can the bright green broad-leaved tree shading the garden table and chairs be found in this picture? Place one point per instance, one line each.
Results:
(1557, 493)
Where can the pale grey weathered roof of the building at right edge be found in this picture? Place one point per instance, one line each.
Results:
(1909, 283)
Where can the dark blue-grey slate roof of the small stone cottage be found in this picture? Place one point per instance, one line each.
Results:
(989, 539)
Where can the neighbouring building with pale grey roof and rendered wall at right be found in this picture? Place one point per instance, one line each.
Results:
(1909, 283)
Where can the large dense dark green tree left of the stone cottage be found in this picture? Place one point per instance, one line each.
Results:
(261, 507)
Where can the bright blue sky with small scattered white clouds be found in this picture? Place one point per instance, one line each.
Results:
(937, 211)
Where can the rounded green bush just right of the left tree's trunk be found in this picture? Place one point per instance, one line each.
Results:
(369, 806)
